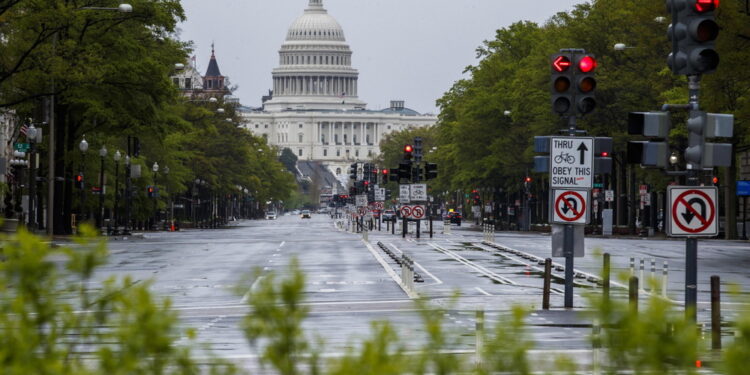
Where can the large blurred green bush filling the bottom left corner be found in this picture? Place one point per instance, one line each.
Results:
(53, 323)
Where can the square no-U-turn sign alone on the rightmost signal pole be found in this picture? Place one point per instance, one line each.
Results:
(692, 211)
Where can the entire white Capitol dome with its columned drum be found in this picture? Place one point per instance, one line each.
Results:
(315, 66)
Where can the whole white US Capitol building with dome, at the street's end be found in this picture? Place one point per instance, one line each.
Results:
(313, 108)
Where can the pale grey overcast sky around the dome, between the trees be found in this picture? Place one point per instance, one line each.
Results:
(404, 49)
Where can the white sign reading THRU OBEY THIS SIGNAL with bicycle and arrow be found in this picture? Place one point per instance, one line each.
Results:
(571, 162)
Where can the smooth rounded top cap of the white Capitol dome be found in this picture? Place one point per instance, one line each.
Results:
(315, 24)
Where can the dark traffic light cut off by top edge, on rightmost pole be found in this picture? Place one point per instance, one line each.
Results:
(693, 34)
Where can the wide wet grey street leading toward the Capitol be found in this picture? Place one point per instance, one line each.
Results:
(350, 283)
